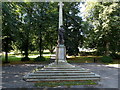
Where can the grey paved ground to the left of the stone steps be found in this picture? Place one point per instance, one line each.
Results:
(12, 76)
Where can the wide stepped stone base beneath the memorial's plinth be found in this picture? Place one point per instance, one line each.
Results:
(60, 71)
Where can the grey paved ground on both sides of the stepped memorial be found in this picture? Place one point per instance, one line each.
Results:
(12, 76)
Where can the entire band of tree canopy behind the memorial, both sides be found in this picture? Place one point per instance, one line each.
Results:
(30, 26)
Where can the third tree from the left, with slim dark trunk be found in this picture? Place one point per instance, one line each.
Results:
(41, 25)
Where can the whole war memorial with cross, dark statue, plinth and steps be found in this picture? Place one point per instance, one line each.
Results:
(60, 70)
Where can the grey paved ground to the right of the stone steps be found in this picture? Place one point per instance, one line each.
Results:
(109, 74)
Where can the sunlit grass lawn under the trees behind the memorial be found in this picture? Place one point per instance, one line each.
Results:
(16, 59)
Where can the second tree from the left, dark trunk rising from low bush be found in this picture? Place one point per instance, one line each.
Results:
(24, 34)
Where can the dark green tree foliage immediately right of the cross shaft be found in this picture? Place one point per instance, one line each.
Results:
(72, 26)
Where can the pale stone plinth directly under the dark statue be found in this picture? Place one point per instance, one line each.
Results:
(61, 53)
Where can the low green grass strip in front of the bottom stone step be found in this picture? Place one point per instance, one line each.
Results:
(64, 83)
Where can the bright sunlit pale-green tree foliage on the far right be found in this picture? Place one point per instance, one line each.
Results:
(104, 34)
